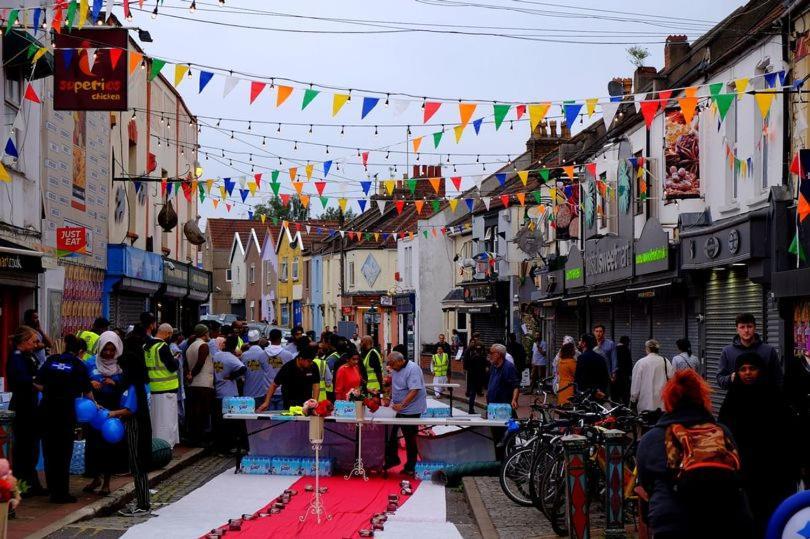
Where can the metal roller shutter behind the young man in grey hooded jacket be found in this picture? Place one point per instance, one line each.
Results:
(727, 294)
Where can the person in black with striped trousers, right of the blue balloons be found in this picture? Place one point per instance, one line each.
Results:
(133, 410)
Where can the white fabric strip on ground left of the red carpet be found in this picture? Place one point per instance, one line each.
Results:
(228, 495)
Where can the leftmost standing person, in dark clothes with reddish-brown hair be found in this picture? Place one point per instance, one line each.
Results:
(20, 372)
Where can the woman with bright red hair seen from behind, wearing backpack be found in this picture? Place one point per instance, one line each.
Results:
(687, 504)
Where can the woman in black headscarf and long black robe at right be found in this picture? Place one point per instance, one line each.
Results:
(766, 433)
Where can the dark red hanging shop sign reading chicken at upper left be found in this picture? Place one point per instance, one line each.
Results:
(78, 87)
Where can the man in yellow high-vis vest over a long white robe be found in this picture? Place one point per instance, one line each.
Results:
(164, 382)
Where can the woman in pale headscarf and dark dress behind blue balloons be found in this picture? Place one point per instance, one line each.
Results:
(102, 459)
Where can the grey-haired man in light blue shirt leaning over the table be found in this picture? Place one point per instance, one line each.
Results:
(408, 399)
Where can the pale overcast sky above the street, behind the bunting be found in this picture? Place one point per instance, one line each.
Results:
(566, 50)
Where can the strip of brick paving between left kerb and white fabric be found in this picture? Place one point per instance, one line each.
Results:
(168, 492)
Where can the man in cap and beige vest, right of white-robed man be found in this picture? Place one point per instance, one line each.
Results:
(200, 378)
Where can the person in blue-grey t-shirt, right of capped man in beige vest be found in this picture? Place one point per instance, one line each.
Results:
(227, 369)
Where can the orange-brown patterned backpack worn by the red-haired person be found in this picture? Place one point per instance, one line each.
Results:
(701, 454)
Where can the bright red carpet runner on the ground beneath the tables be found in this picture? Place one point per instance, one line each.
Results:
(351, 504)
